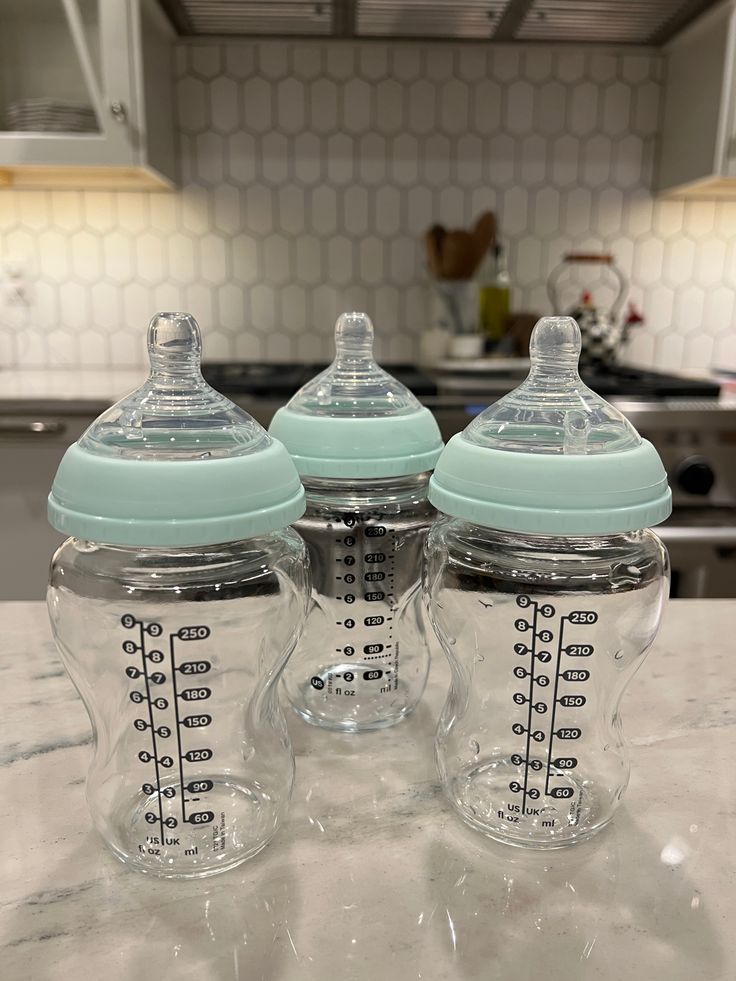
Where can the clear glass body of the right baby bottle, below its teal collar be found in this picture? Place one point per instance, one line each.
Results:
(542, 634)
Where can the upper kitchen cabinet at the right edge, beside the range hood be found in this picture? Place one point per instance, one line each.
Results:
(697, 153)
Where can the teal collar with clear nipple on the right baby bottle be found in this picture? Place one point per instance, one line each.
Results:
(552, 457)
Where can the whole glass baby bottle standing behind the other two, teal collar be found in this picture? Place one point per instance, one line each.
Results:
(364, 447)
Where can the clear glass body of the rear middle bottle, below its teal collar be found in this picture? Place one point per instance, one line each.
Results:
(363, 659)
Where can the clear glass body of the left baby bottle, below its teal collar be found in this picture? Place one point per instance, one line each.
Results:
(177, 655)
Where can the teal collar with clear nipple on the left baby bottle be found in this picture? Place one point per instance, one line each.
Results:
(174, 463)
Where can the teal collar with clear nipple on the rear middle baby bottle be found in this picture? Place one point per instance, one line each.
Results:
(355, 419)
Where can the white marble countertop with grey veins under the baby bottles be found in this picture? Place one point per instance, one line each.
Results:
(373, 877)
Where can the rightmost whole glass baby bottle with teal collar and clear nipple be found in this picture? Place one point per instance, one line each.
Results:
(545, 589)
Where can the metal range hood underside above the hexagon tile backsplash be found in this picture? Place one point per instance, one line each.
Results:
(631, 22)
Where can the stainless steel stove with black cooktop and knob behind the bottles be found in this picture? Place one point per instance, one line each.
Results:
(694, 433)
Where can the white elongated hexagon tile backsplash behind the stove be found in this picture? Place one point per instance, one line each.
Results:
(310, 171)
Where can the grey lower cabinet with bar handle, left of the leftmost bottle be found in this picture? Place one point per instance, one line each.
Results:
(31, 446)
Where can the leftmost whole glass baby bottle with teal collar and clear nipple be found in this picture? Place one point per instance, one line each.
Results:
(175, 604)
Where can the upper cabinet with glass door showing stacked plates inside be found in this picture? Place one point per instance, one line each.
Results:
(85, 94)
